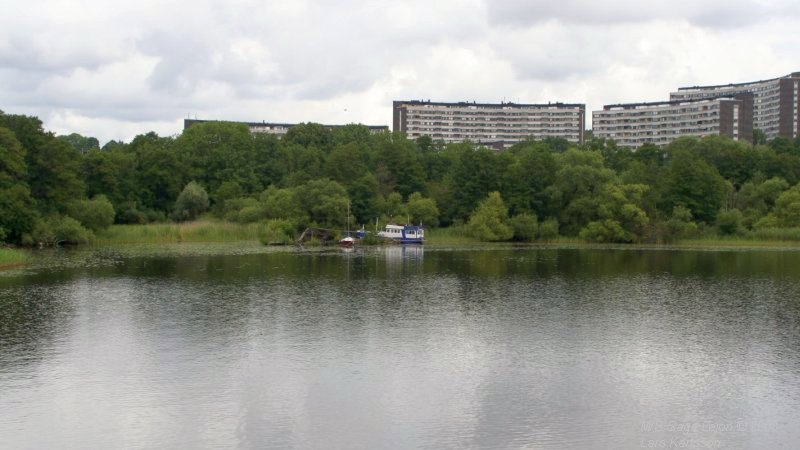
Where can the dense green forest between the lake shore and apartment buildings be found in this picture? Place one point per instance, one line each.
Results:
(56, 188)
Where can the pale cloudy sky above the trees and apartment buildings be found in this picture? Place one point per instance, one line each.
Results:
(116, 69)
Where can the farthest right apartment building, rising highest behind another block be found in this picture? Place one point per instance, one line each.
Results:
(775, 102)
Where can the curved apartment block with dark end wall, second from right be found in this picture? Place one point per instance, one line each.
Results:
(659, 123)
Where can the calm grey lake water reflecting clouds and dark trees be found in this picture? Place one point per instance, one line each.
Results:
(221, 346)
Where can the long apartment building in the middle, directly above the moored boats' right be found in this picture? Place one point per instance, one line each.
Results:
(498, 125)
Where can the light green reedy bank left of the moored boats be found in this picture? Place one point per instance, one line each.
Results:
(167, 233)
